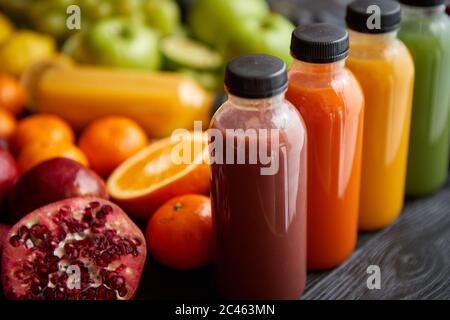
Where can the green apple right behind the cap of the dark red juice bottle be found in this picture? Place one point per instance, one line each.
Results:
(271, 35)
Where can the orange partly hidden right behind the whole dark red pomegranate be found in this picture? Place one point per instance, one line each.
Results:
(37, 152)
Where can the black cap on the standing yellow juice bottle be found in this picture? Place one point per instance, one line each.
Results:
(359, 14)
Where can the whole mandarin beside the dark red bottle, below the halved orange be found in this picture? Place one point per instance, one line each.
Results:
(180, 234)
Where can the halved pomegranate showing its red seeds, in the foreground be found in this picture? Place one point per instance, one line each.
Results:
(76, 249)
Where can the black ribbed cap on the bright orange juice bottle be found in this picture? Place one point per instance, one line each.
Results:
(319, 43)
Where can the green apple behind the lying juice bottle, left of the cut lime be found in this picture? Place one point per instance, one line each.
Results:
(121, 42)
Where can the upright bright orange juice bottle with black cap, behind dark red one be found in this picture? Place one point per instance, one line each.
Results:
(331, 103)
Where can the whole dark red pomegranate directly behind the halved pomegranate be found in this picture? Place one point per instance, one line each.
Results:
(50, 181)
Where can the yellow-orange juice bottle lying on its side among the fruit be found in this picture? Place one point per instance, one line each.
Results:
(159, 101)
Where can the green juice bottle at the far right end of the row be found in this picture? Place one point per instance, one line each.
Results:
(425, 30)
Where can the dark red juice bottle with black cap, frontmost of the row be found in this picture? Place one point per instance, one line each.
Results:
(259, 205)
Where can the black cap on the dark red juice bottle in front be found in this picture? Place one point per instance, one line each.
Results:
(256, 76)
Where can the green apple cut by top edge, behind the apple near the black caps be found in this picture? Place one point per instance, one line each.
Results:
(210, 20)
